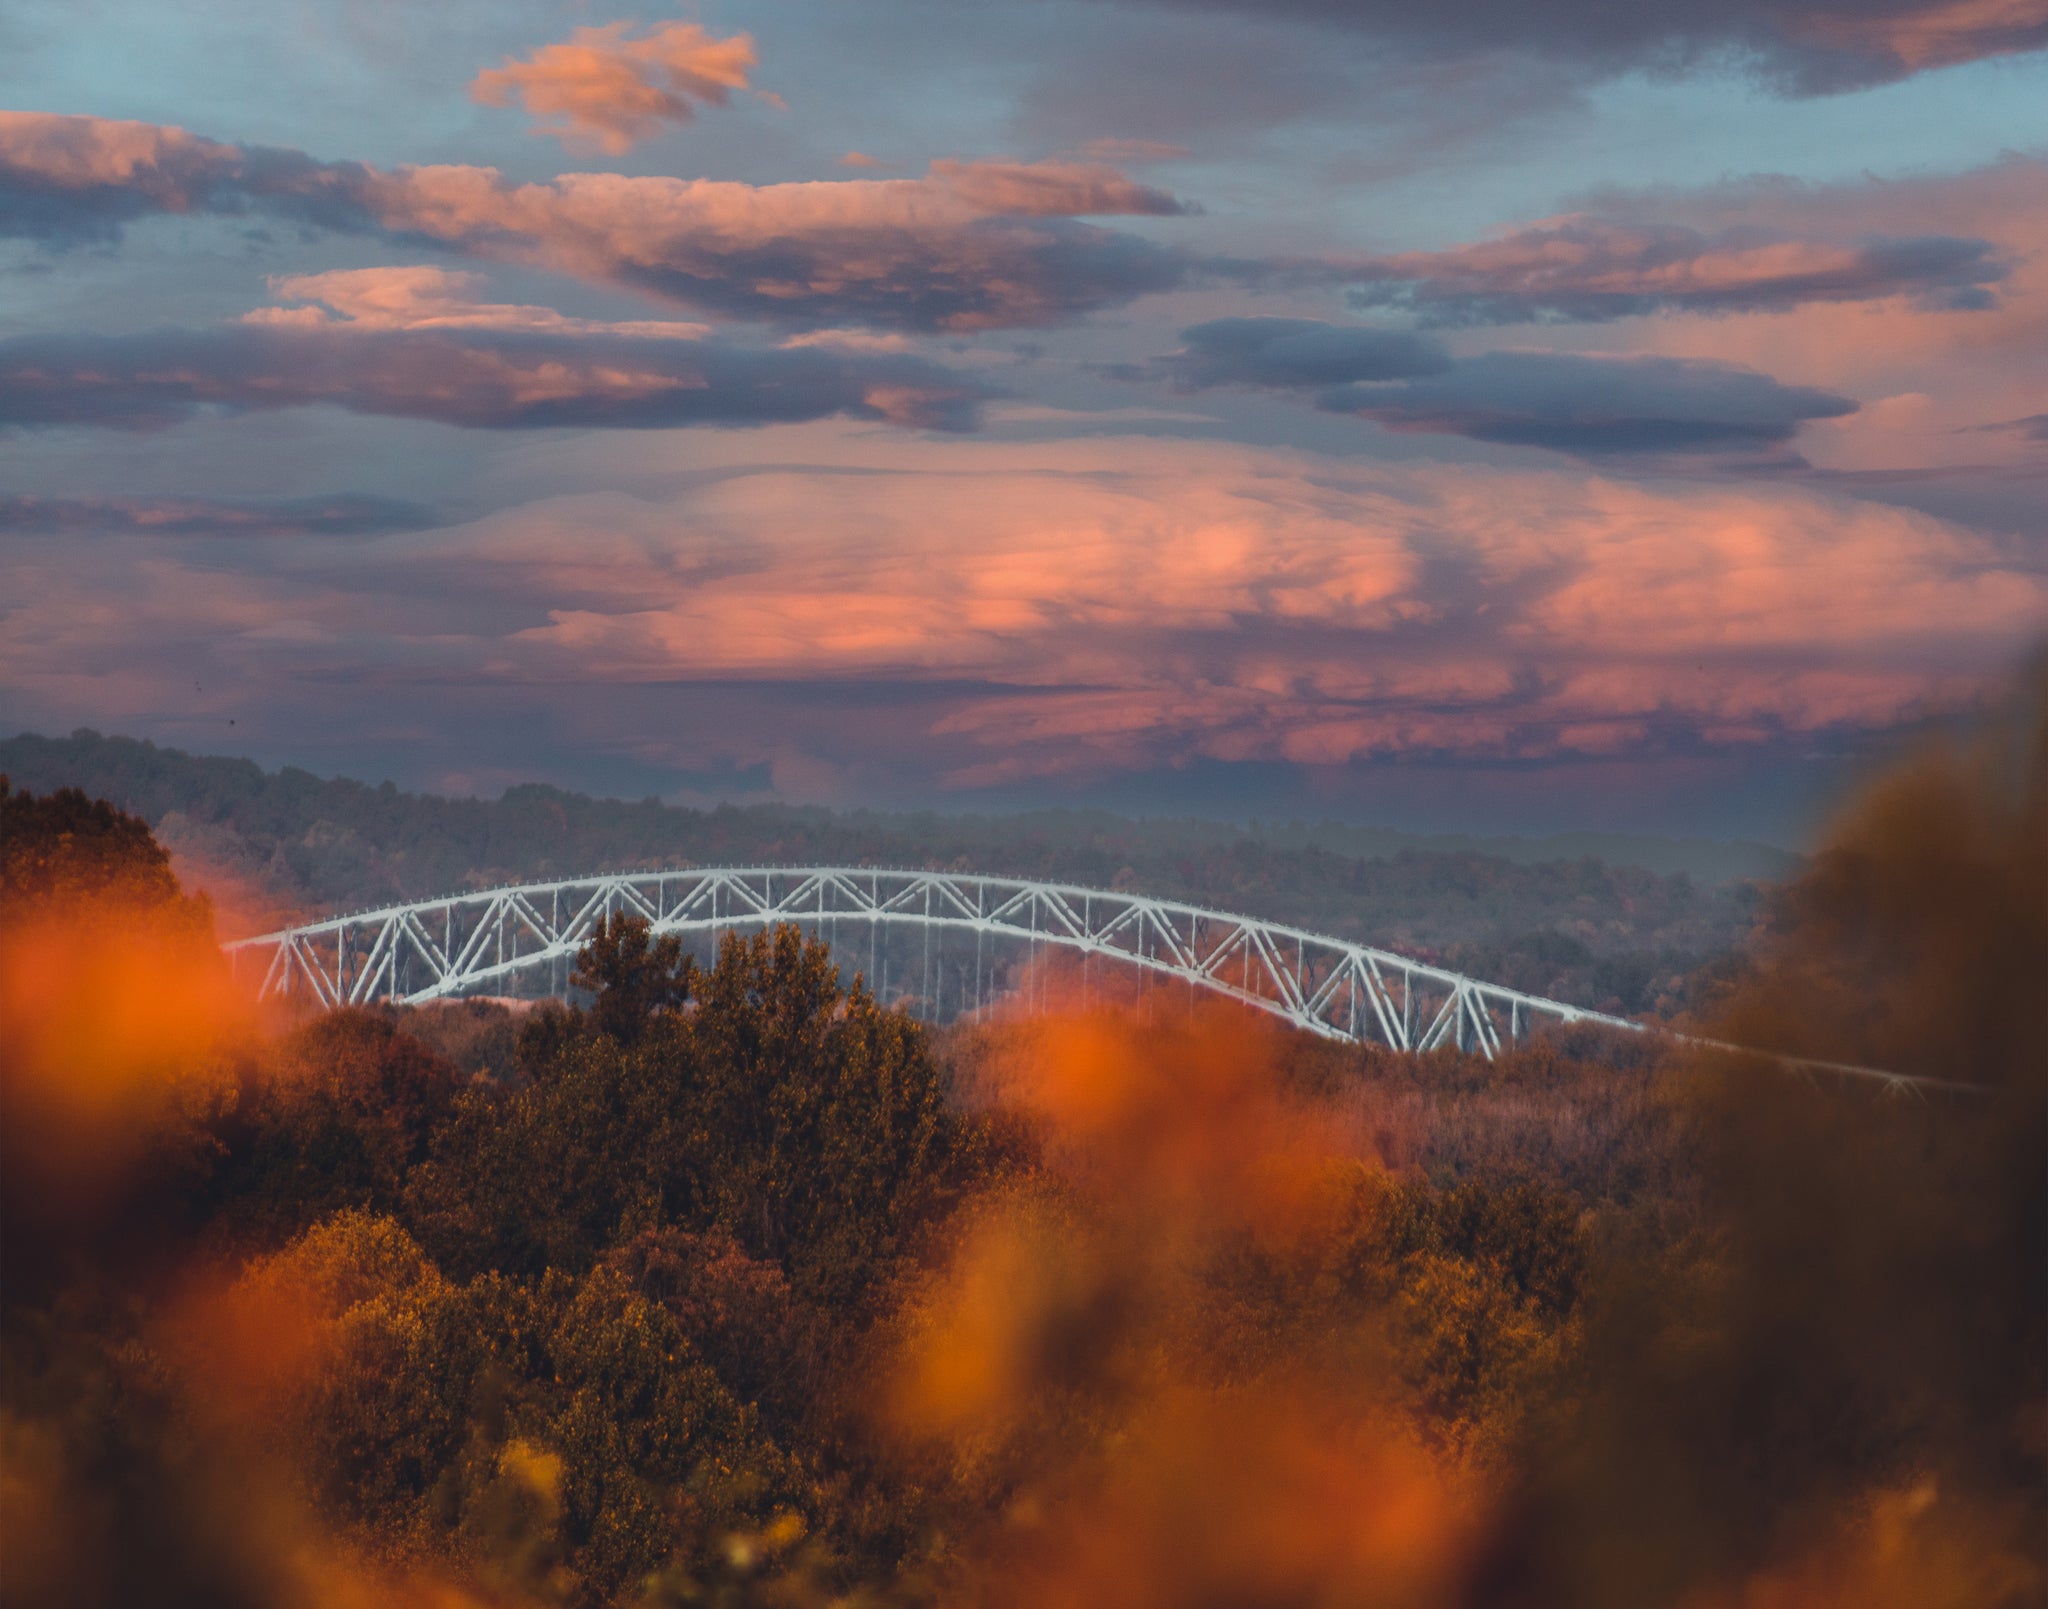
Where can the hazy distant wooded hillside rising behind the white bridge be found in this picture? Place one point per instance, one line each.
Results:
(1578, 920)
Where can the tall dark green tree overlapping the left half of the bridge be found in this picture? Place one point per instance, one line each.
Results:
(796, 1115)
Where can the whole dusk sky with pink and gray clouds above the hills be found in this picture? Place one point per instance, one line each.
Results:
(1623, 415)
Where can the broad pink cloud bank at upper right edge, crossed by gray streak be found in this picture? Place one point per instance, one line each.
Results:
(1924, 300)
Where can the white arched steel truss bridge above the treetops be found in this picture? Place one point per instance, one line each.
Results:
(505, 939)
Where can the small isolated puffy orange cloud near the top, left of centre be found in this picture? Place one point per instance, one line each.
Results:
(611, 91)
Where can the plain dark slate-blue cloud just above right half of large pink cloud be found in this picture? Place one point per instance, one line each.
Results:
(1558, 400)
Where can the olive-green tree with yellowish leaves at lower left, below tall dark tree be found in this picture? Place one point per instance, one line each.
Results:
(534, 1424)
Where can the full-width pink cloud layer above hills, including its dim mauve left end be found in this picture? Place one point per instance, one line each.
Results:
(998, 613)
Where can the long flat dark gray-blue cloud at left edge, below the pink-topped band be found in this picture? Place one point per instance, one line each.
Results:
(482, 380)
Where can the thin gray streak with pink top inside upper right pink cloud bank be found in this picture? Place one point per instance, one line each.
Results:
(1594, 269)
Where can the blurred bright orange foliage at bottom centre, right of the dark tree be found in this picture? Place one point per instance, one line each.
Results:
(1062, 1358)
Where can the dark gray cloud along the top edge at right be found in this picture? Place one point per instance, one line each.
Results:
(1797, 46)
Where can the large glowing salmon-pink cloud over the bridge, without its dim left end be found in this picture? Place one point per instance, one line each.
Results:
(1164, 603)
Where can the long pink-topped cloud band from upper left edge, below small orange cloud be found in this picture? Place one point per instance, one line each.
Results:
(970, 247)
